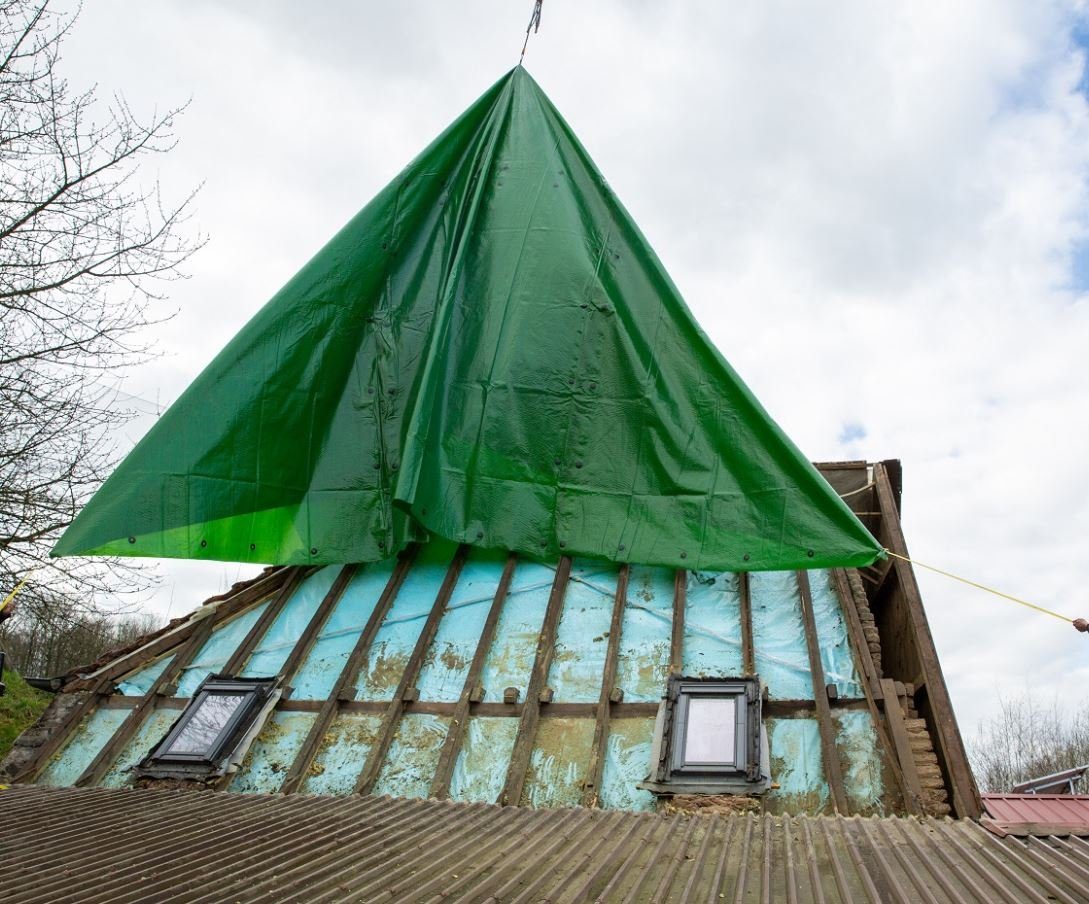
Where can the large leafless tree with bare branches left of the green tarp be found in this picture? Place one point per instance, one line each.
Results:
(87, 243)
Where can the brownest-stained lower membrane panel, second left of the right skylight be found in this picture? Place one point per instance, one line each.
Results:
(559, 762)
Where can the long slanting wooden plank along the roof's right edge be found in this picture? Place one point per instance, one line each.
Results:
(950, 748)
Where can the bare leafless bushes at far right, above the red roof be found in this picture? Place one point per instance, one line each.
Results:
(1029, 739)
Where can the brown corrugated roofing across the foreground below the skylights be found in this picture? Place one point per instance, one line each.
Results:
(117, 846)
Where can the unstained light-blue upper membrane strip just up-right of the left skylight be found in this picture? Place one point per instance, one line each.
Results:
(316, 677)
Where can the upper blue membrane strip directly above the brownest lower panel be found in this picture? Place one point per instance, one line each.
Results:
(582, 638)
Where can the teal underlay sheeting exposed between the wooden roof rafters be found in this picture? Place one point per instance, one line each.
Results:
(712, 648)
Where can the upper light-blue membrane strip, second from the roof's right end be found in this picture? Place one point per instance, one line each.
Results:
(779, 637)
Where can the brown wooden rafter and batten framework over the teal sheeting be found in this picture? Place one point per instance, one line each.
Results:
(873, 490)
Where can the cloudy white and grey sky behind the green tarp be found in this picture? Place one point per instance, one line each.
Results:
(878, 213)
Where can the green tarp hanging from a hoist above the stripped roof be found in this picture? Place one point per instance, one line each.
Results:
(491, 352)
